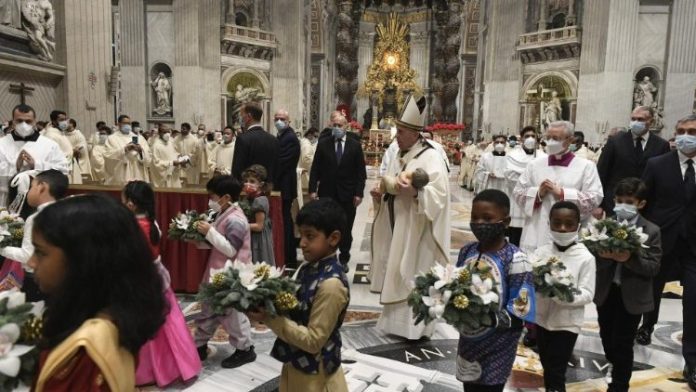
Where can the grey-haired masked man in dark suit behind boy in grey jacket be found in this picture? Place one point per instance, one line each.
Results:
(626, 154)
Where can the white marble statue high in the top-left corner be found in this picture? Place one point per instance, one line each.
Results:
(39, 23)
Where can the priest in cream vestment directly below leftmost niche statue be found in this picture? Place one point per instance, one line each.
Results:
(165, 171)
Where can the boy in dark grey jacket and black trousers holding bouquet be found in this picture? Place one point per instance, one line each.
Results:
(623, 290)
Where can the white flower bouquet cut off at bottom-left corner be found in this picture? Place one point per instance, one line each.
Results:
(20, 329)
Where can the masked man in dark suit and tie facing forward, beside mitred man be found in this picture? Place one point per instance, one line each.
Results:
(338, 172)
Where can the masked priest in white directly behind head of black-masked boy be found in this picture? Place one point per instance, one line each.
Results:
(490, 171)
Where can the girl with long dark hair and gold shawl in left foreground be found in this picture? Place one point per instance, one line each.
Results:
(104, 294)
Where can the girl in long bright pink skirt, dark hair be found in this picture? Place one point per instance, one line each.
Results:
(171, 355)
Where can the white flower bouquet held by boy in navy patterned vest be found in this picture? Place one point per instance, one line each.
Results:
(247, 287)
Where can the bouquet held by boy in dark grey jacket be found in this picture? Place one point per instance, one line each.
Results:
(613, 236)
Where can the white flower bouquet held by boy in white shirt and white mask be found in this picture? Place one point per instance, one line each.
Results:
(552, 279)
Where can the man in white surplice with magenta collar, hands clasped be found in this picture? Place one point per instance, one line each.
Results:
(546, 180)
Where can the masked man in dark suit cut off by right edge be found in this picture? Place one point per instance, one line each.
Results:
(671, 182)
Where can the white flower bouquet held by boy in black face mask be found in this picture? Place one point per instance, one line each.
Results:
(465, 297)
